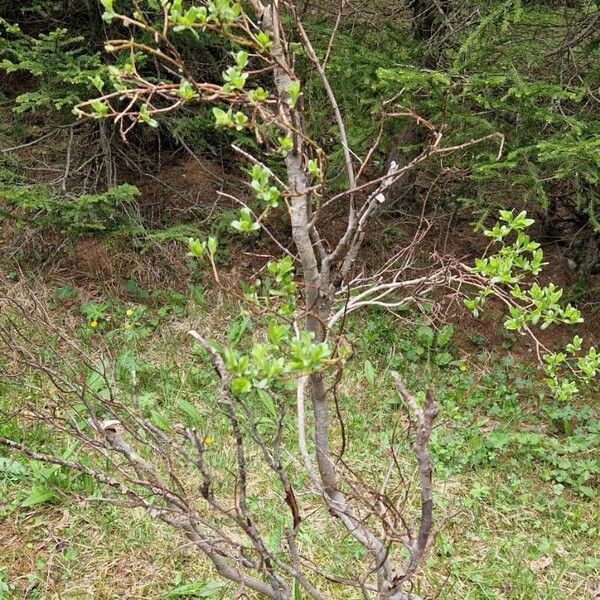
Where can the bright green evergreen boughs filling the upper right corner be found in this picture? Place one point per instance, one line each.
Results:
(515, 71)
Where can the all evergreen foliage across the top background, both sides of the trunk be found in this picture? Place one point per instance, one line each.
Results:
(528, 70)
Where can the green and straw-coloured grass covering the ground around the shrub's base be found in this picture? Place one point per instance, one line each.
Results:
(516, 476)
